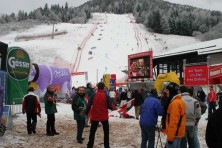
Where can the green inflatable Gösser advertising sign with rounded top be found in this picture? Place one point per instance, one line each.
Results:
(18, 68)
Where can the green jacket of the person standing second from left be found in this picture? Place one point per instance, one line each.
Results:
(50, 106)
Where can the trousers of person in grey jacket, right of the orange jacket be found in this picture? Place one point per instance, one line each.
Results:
(188, 138)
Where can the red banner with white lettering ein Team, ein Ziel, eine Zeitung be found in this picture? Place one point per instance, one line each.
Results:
(196, 75)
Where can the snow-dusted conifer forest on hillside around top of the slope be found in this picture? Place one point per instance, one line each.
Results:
(157, 15)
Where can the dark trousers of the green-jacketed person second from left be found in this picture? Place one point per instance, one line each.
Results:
(50, 126)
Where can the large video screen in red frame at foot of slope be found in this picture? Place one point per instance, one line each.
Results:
(140, 65)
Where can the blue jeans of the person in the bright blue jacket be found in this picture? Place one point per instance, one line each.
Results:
(148, 135)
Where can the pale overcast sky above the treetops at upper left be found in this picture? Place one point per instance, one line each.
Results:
(9, 6)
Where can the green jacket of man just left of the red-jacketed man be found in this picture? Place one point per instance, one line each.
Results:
(78, 106)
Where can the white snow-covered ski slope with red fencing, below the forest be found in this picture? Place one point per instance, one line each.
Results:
(109, 37)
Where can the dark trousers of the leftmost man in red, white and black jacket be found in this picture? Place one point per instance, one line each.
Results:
(31, 122)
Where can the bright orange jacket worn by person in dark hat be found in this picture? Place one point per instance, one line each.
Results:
(176, 118)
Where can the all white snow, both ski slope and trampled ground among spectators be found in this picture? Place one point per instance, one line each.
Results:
(110, 38)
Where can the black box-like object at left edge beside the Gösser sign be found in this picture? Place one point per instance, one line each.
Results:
(3, 55)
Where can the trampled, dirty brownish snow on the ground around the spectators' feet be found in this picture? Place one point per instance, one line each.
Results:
(124, 133)
